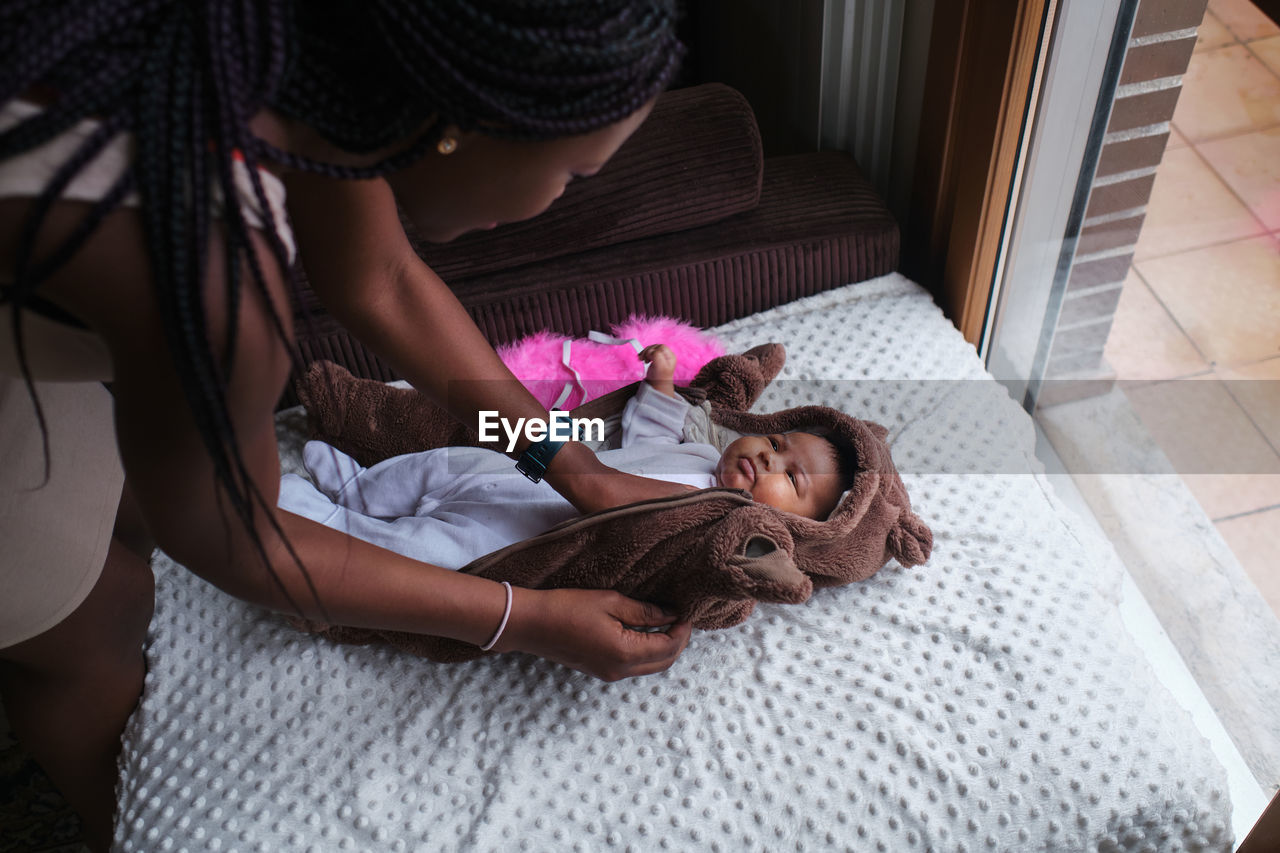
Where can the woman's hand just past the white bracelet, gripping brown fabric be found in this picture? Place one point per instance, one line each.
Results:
(595, 632)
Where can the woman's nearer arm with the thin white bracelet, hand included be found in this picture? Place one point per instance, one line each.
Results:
(345, 581)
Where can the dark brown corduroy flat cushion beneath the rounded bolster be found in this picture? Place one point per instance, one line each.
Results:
(820, 225)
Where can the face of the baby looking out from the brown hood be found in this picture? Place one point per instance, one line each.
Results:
(793, 472)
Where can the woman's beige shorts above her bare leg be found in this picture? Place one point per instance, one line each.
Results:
(56, 532)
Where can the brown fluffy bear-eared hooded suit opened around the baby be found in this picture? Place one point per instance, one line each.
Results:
(708, 556)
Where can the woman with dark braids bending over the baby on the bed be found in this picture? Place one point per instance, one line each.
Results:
(148, 149)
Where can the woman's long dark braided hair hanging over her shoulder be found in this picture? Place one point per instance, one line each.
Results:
(185, 77)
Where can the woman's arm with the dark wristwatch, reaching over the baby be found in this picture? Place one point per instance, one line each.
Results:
(369, 277)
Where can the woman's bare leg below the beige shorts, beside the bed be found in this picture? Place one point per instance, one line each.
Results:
(70, 691)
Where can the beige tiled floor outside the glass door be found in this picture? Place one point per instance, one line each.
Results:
(1199, 325)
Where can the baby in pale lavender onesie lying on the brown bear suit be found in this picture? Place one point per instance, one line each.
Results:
(454, 505)
